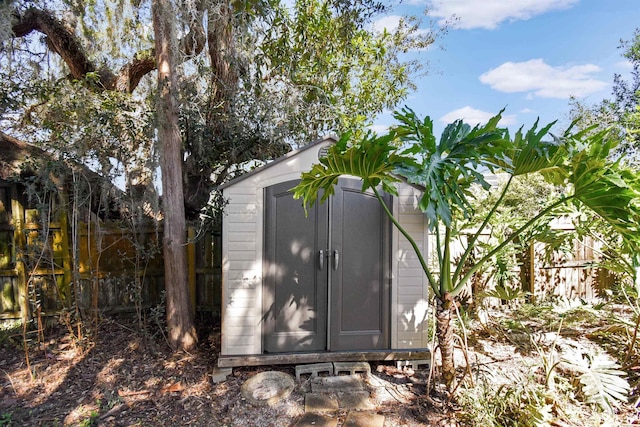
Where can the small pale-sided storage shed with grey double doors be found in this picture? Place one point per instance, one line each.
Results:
(338, 284)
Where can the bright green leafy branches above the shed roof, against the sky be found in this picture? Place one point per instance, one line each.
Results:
(323, 54)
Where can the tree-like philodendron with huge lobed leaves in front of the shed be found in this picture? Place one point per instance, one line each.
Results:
(452, 172)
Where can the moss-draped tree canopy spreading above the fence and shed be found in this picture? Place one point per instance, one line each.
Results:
(256, 77)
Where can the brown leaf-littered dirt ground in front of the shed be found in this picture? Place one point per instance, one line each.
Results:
(120, 376)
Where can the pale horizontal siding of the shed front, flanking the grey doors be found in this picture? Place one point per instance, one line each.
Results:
(242, 239)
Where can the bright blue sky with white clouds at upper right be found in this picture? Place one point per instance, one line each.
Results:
(529, 56)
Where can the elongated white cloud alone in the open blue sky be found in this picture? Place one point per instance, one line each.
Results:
(544, 81)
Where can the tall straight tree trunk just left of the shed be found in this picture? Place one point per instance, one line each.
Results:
(182, 334)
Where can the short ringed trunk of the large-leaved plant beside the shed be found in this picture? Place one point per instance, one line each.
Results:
(444, 332)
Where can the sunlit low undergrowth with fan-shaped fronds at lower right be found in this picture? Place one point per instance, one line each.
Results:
(562, 373)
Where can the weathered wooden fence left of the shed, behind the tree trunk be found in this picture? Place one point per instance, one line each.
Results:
(116, 269)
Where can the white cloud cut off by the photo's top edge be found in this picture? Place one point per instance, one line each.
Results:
(488, 14)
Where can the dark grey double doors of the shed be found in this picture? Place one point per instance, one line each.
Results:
(326, 281)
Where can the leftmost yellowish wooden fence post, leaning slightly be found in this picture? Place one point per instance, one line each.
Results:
(17, 214)
